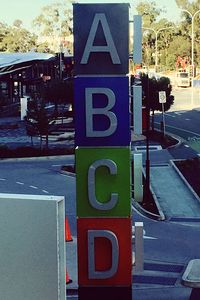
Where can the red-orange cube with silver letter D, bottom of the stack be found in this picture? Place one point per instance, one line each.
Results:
(105, 252)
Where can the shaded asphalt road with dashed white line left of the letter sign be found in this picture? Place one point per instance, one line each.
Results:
(40, 177)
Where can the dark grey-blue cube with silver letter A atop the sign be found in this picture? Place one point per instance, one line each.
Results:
(101, 38)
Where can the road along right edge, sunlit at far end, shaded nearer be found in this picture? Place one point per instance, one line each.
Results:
(183, 120)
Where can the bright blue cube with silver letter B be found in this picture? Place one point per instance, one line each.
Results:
(102, 111)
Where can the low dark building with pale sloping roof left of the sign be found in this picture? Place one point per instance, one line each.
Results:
(23, 73)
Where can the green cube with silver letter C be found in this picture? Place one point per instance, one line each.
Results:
(103, 182)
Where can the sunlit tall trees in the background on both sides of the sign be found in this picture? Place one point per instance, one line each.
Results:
(54, 24)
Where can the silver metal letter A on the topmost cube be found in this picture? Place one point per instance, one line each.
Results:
(110, 47)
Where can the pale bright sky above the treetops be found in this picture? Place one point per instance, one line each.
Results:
(27, 10)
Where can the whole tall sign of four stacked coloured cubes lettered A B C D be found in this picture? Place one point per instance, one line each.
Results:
(102, 144)
